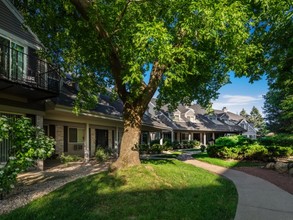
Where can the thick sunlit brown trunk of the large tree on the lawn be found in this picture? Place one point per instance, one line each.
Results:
(129, 155)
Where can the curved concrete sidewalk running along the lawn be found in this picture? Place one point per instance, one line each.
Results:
(258, 199)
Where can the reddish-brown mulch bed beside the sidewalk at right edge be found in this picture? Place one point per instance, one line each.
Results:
(284, 181)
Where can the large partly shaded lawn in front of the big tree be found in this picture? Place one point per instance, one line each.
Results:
(157, 189)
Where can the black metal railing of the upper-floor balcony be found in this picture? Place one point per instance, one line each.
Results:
(28, 69)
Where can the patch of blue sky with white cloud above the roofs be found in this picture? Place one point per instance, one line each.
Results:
(242, 94)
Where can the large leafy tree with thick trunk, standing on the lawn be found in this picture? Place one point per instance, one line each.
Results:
(184, 48)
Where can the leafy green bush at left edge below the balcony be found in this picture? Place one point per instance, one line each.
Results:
(29, 143)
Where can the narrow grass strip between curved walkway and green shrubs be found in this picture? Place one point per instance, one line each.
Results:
(226, 163)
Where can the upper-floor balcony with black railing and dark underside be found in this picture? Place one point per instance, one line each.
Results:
(24, 75)
